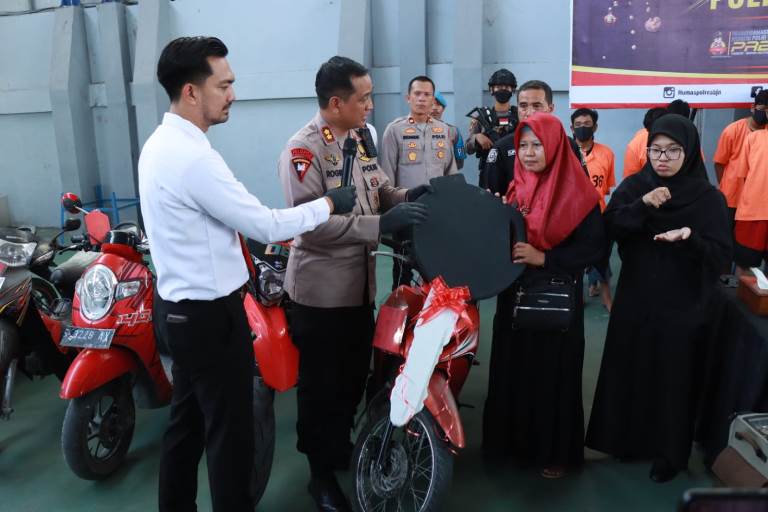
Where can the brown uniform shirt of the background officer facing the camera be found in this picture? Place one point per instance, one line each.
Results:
(413, 153)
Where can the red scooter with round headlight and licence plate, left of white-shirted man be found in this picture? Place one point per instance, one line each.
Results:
(118, 362)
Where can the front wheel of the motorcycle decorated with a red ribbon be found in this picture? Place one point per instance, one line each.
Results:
(417, 468)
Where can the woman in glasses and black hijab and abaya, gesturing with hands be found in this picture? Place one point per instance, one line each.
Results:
(671, 228)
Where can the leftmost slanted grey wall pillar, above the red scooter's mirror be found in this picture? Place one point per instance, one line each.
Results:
(72, 118)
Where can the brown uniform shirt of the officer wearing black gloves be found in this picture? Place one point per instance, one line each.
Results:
(330, 266)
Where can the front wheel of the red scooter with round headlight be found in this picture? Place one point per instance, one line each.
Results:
(98, 429)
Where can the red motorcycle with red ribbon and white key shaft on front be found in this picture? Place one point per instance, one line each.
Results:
(403, 457)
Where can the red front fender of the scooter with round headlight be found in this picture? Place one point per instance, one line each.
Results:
(93, 368)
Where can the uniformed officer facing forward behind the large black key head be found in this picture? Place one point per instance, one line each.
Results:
(416, 148)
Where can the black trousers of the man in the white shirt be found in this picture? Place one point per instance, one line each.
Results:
(212, 404)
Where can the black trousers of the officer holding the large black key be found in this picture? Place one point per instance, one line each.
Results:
(335, 351)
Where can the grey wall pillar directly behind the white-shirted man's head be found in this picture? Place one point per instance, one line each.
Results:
(149, 97)
